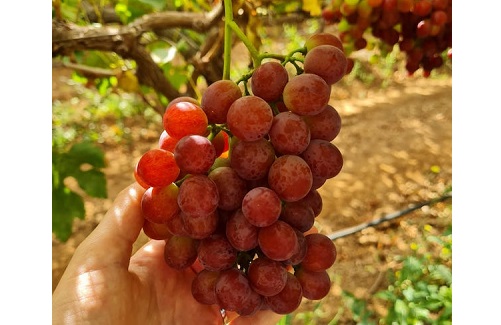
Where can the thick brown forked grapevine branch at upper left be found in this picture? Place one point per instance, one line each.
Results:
(126, 41)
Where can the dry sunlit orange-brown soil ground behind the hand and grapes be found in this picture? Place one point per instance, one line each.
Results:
(390, 139)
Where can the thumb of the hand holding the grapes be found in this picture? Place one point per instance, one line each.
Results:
(112, 240)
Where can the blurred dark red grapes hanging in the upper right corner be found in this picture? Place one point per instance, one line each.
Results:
(421, 28)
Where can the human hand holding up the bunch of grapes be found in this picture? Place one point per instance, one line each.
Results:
(104, 284)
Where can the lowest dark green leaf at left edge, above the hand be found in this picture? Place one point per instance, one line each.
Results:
(66, 206)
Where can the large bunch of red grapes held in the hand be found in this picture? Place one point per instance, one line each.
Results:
(233, 186)
